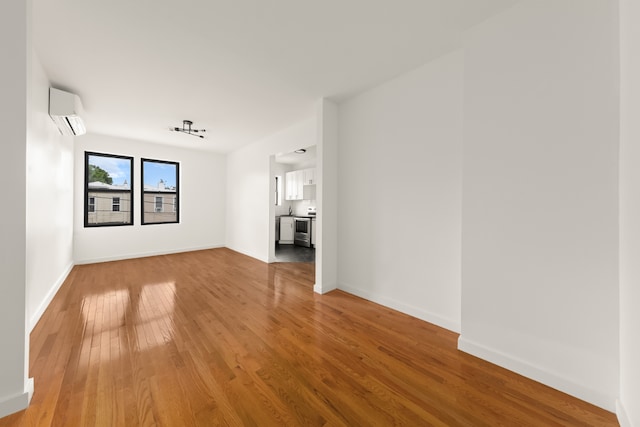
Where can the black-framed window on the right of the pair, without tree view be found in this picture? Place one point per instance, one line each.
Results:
(160, 186)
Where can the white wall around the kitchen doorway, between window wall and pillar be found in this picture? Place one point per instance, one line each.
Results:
(250, 211)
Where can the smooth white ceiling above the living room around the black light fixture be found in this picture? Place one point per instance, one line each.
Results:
(241, 69)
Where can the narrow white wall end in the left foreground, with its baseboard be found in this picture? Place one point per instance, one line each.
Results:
(15, 387)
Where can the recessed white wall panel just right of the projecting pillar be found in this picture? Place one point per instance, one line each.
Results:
(400, 184)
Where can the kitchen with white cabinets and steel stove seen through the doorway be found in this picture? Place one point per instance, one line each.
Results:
(295, 205)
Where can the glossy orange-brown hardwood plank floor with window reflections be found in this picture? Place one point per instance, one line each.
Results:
(217, 338)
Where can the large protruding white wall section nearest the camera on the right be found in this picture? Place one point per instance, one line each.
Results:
(539, 223)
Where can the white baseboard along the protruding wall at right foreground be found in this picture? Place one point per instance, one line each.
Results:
(524, 368)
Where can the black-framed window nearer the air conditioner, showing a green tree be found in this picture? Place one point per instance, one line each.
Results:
(107, 190)
